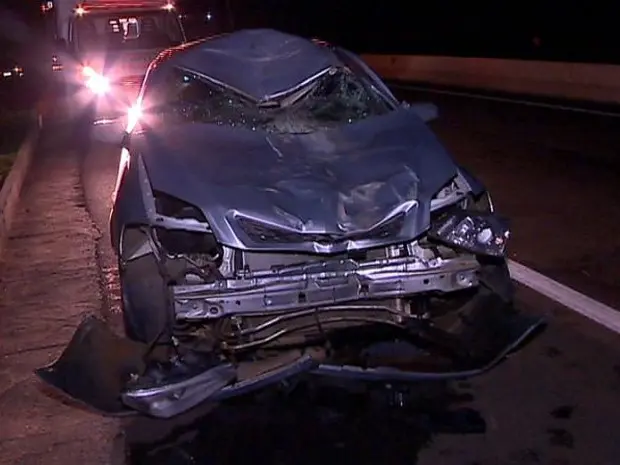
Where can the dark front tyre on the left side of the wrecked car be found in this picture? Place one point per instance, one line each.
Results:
(146, 310)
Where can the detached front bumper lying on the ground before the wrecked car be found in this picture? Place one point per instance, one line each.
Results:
(100, 369)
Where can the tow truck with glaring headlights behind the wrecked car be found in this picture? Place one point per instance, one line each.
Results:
(103, 49)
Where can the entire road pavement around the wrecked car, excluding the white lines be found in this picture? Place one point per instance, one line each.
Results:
(555, 403)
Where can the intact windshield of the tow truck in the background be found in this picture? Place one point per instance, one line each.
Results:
(148, 30)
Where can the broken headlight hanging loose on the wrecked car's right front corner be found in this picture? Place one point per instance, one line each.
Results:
(479, 233)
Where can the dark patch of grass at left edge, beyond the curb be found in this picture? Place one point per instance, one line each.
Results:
(14, 126)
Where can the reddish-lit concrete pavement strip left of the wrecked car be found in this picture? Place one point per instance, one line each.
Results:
(48, 279)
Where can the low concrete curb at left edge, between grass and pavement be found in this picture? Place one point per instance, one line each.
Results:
(11, 189)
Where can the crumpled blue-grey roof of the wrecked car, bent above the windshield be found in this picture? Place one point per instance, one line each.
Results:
(260, 63)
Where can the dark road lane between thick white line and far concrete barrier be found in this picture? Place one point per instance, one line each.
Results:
(554, 174)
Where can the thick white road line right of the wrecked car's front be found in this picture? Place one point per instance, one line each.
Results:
(580, 303)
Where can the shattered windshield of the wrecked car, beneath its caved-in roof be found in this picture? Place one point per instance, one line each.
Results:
(338, 97)
